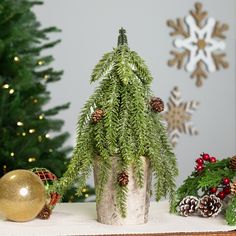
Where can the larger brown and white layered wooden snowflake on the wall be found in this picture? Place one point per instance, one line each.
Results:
(201, 43)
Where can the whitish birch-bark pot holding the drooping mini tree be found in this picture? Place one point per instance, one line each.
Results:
(138, 199)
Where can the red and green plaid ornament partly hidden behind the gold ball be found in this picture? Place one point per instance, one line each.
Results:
(48, 178)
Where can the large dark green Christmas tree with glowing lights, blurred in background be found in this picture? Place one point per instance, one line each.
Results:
(25, 126)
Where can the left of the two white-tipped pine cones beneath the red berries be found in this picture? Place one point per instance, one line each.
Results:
(188, 206)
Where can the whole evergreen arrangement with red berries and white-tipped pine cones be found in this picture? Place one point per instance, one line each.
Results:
(209, 190)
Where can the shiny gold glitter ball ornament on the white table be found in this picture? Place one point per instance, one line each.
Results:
(22, 195)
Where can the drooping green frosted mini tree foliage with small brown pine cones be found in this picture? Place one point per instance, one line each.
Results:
(121, 119)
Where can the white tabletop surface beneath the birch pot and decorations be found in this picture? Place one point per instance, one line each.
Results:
(80, 219)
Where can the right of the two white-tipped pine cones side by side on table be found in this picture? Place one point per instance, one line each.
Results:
(210, 206)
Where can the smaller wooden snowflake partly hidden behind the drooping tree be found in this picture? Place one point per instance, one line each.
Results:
(178, 116)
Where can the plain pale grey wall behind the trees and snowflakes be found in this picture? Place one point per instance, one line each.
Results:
(90, 29)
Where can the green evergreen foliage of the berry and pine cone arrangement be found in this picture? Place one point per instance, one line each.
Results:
(200, 183)
